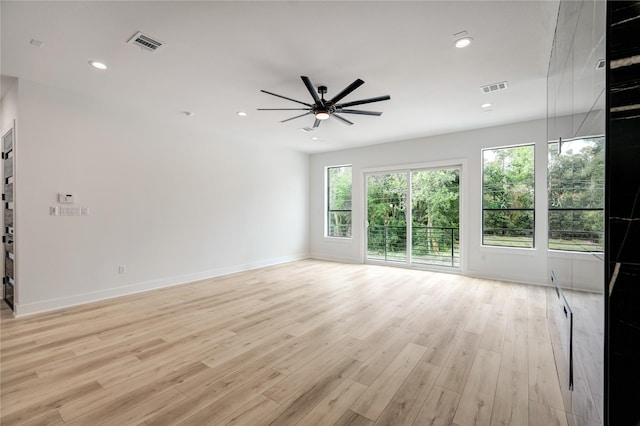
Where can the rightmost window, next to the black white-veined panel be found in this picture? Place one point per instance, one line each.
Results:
(576, 194)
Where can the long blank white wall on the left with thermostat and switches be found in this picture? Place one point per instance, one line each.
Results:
(166, 198)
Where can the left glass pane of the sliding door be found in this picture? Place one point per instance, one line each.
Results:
(386, 215)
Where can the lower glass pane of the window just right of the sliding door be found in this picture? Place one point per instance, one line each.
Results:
(509, 228)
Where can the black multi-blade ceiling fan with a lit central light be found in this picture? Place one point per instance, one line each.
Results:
(323, 108)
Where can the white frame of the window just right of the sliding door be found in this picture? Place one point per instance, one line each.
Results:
(532, 209)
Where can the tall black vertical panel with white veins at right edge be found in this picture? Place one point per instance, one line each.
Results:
(622, 254)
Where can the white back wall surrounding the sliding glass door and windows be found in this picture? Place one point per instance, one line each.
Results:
(519, 265)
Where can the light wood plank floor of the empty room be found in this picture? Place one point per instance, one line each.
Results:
(308, 343)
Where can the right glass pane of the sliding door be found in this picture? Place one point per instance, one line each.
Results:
(435, 207)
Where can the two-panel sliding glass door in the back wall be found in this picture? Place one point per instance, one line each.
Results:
(413, 217)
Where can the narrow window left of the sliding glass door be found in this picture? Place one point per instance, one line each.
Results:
(339, 201)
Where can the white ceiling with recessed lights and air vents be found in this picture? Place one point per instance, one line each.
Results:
(218, 55)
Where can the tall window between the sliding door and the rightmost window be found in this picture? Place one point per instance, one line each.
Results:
(508, 181)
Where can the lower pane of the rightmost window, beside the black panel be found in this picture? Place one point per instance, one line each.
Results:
(576, 230)
